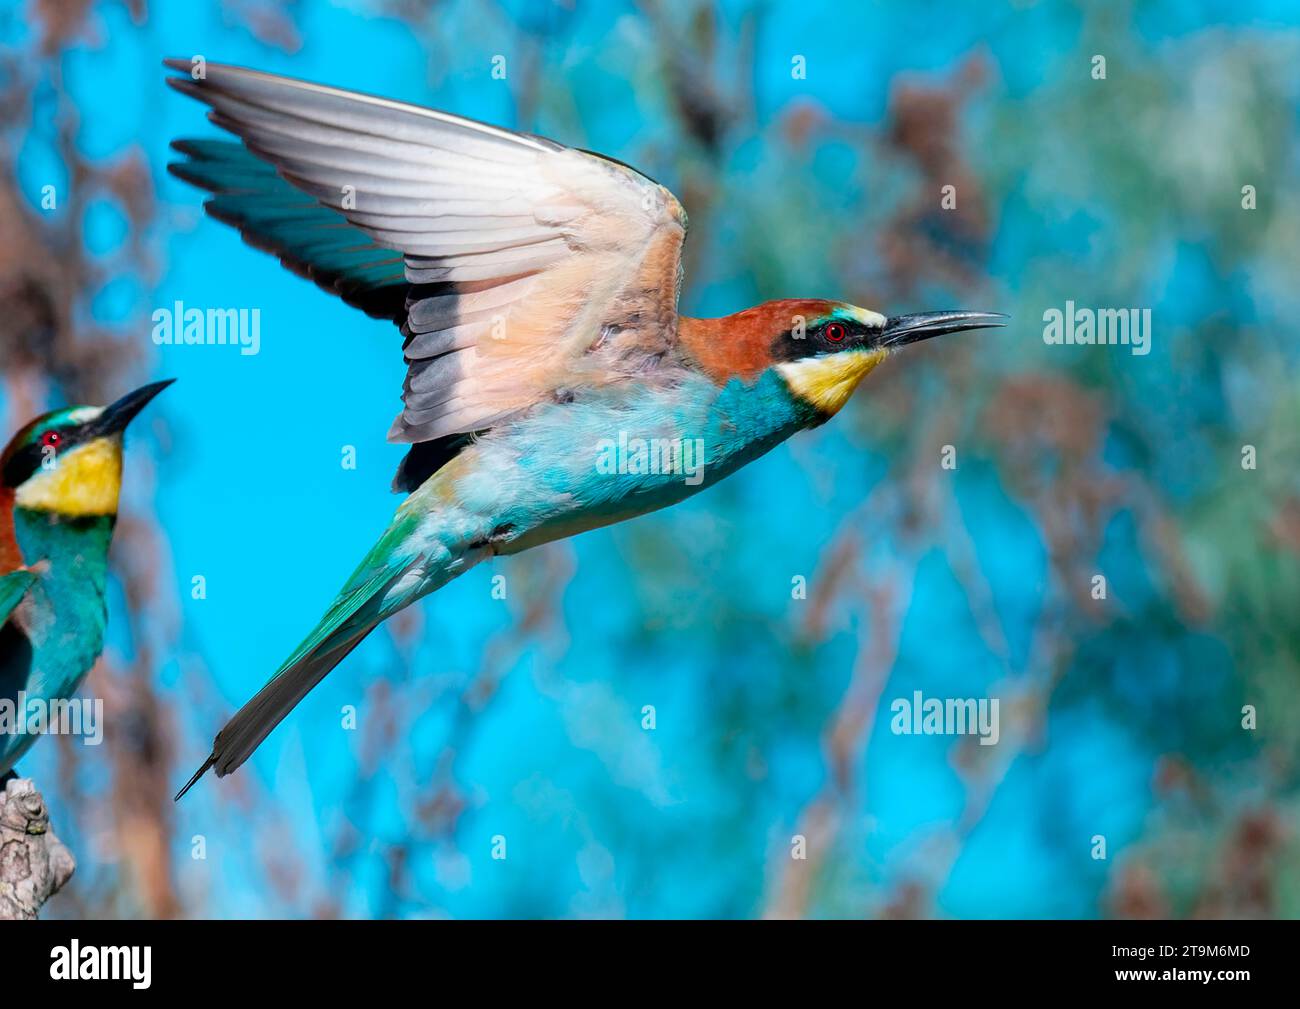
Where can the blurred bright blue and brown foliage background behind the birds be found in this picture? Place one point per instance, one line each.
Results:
(1121, 718)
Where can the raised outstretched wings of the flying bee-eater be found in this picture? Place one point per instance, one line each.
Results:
(531, 270)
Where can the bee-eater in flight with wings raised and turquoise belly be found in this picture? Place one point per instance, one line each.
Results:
(552, 387)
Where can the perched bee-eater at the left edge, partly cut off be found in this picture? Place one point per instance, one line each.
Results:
(60, 479)
